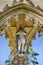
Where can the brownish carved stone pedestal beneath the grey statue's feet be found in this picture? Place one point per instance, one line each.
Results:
(20, 60)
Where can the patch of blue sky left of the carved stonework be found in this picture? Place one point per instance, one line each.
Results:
(4, 50)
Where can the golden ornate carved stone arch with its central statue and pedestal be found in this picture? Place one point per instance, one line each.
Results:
(29, 24)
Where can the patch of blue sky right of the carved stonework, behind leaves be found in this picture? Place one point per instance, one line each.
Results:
(37, 46)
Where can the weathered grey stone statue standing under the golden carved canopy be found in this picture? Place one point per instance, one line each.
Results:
(21, 42)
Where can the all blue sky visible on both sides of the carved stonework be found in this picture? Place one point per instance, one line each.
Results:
(37, 46)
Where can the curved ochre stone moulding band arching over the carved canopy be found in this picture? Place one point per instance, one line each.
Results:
(20, 6)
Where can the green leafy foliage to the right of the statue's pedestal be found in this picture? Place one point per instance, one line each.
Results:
(33, 56)
